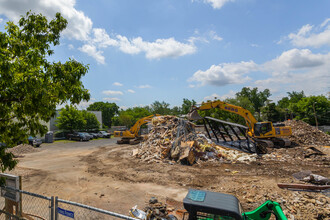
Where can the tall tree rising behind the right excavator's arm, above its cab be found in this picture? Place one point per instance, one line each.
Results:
(258, 99)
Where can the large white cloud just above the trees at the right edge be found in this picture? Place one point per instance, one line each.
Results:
(297, 70)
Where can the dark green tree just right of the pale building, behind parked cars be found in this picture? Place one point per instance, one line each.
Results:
(109, 110)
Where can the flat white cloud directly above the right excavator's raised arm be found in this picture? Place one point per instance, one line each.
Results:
(223, 74)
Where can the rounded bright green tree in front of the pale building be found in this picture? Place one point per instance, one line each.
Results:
(70, 119)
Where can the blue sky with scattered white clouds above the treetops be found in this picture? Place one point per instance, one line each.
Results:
(140, 51)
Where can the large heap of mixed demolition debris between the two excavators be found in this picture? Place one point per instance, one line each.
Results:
(175, 139)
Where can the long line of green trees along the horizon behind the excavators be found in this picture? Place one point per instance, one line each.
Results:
(296, 105)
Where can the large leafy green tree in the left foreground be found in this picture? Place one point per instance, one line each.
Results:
(31, 86)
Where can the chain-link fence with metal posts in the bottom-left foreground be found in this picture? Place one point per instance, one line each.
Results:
(34, 206)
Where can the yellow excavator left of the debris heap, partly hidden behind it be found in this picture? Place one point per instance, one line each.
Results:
(132, 135)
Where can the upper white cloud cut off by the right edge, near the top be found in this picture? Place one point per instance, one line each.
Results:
(311, 36)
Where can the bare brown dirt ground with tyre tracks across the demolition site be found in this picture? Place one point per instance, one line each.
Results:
(108, 177)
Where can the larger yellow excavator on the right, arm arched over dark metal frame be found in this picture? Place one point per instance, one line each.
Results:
(265, 134)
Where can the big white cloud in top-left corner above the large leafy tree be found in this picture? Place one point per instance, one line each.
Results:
(79, 25)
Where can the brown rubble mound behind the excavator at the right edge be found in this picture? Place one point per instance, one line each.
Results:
(305, 134)
